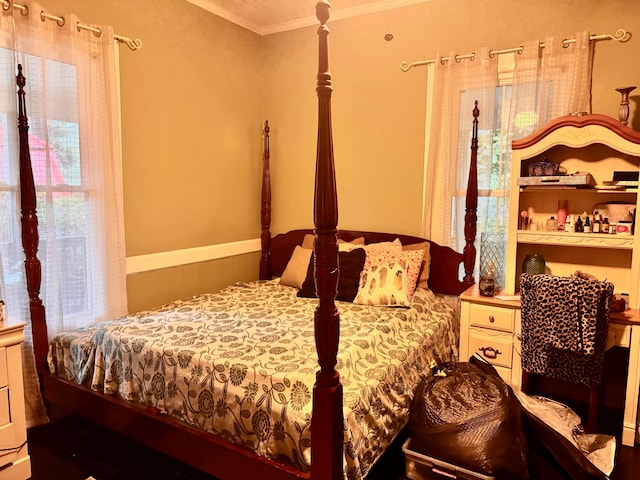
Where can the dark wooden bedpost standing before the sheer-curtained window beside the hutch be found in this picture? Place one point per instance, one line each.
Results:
(471, 206)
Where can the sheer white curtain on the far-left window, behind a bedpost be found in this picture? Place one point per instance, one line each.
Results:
(72, 104)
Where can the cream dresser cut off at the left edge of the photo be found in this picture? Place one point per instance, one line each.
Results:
(14, 453)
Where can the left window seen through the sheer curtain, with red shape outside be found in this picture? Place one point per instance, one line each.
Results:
(63, 194)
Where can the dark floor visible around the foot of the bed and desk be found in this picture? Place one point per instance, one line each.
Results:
(74, 449)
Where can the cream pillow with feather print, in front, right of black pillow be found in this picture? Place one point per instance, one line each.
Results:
(384, 284)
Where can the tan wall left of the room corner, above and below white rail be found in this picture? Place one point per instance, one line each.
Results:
(192, 138)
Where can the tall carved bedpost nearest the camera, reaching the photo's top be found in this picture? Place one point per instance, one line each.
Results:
(327, 422)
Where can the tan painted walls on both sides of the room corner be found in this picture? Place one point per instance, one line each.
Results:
(195, 96)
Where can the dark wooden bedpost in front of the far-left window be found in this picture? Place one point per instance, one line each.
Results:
(30, 237)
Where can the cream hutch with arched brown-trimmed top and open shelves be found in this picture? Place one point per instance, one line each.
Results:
(595, 144)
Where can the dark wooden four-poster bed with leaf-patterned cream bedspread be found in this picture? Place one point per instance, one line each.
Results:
(324, 431)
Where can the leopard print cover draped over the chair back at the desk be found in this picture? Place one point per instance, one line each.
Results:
(564, 326)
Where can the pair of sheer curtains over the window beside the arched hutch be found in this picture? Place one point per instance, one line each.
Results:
(539, 85)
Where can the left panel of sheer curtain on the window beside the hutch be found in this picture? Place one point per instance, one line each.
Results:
(458, 83)
